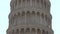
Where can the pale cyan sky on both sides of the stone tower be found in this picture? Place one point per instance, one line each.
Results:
(5, 10)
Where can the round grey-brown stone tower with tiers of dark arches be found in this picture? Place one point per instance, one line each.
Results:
(30, 17)
